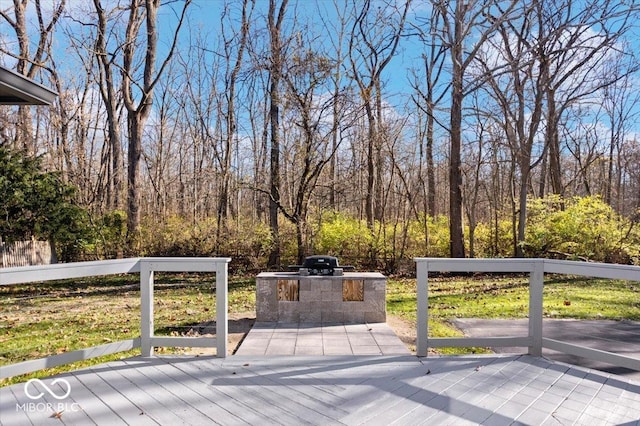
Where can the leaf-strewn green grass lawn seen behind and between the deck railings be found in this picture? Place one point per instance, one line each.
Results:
(37, 320)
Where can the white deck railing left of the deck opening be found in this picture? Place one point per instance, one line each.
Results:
(147, 340)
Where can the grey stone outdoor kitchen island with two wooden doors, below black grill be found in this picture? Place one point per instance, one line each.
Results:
(355, 297)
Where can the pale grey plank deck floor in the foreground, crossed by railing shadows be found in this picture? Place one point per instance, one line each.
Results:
(326, 390)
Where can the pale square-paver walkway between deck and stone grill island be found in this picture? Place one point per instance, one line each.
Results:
(277, 338)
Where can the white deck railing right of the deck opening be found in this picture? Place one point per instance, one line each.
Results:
(536, 268)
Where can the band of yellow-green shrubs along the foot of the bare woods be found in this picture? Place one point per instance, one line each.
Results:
(575, 228)
